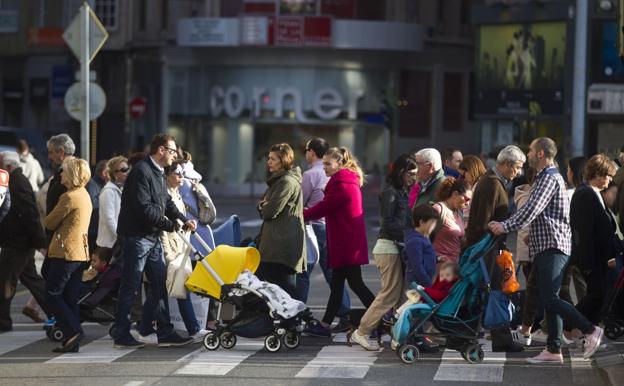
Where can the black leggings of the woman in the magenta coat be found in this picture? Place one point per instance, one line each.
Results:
(353, 275)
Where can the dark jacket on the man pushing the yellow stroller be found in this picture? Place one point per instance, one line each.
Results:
(145, 202)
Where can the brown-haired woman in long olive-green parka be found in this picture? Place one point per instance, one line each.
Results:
(281, 242)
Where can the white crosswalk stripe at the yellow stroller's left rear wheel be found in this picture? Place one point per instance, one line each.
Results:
(220, 361)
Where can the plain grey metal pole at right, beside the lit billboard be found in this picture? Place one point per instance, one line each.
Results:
(579, 107)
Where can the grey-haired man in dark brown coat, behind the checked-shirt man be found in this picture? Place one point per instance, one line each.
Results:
(490, 202)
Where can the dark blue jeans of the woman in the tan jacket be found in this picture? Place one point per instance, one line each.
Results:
(64, 284)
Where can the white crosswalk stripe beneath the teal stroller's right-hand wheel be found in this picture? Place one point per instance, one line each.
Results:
(454, 368)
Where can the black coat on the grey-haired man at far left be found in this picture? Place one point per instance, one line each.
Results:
(21, 228)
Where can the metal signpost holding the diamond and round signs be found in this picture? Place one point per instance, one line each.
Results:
(84, 81)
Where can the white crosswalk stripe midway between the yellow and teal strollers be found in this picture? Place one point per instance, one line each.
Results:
(339, 362)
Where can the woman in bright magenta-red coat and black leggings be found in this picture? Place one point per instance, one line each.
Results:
(347, 248)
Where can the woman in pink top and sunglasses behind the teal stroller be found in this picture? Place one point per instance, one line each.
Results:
(448, 238)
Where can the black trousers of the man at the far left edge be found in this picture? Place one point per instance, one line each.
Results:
(19, 264)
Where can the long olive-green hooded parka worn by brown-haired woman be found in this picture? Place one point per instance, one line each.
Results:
(282, 234)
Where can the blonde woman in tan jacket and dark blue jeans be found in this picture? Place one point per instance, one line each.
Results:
(69, 250)
